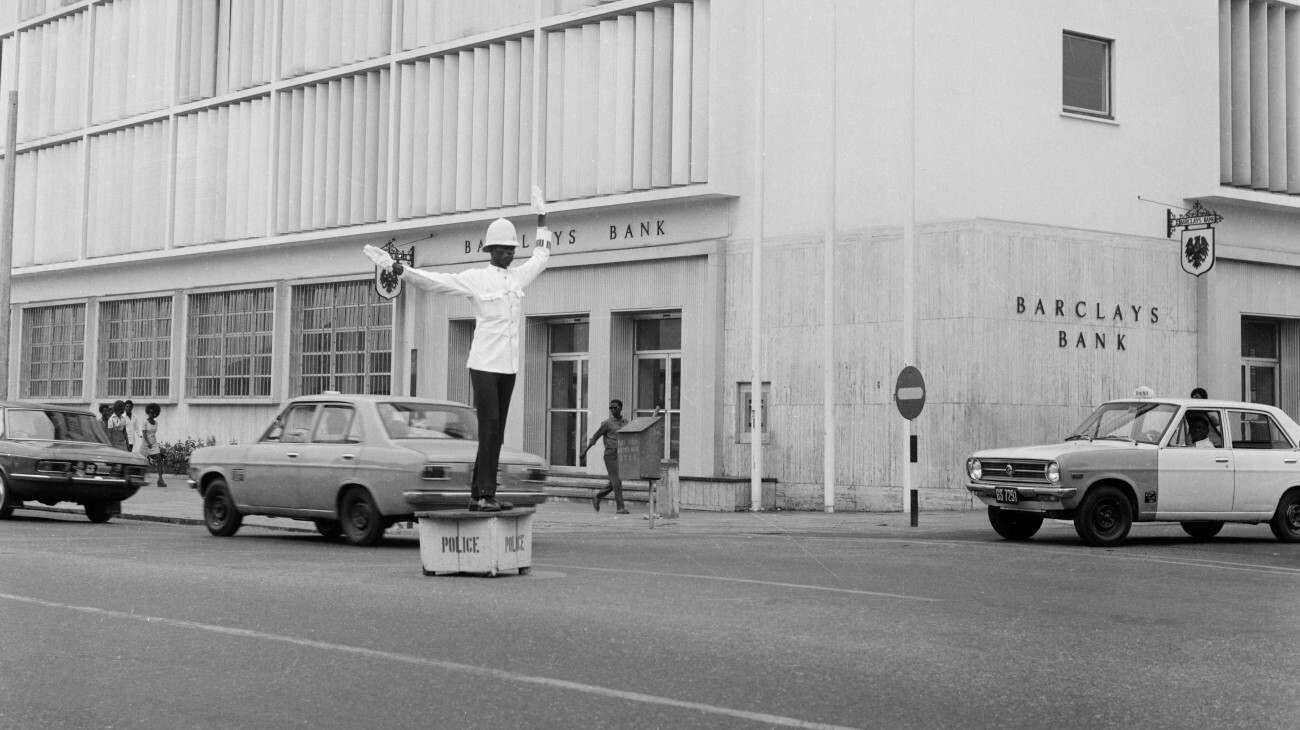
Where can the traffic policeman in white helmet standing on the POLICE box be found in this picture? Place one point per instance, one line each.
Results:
(497, 293)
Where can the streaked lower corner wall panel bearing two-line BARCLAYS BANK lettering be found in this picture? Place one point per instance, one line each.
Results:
(995, 375)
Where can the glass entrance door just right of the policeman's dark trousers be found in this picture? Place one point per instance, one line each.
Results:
(567, 407)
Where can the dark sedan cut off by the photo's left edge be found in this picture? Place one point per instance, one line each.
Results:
(51, 455)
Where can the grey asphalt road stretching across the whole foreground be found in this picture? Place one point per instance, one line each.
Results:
(153, 625)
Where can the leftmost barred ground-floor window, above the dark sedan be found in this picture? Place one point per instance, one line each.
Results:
(54, 351)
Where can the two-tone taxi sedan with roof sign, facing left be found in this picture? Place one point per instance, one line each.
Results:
(1199, 463)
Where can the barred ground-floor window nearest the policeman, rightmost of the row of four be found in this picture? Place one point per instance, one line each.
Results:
(343, 336)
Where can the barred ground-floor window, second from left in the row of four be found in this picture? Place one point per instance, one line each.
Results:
(136, 349)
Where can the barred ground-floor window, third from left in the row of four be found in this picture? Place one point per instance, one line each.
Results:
(229, 345)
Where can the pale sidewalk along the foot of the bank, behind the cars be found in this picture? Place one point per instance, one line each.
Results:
(179, 505)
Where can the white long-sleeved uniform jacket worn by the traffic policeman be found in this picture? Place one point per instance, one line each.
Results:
(496, 294)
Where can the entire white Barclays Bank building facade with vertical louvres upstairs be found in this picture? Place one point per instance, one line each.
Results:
(196, 181)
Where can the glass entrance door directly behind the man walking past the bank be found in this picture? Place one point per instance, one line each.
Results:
(658, 375)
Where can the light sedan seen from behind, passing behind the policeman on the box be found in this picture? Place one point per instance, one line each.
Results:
(356, 466)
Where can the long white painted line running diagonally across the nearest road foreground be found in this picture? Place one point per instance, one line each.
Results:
(440, 664)
